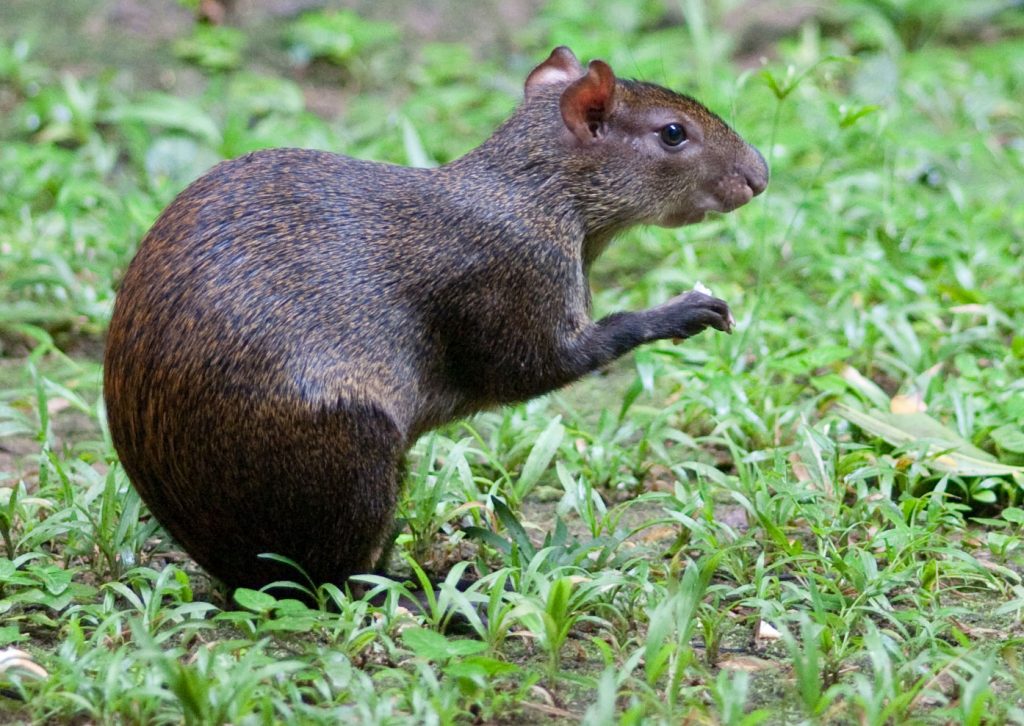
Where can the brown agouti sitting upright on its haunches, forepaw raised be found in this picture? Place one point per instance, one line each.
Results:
(295, 319)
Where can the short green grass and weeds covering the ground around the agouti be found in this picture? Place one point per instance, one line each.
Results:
(817, 520)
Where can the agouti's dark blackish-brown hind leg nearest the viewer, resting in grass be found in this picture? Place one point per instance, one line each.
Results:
(318, 487)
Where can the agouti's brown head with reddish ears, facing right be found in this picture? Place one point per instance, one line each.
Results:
(642, 154)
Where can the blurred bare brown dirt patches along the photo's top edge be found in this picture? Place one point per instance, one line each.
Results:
(135, 37)
